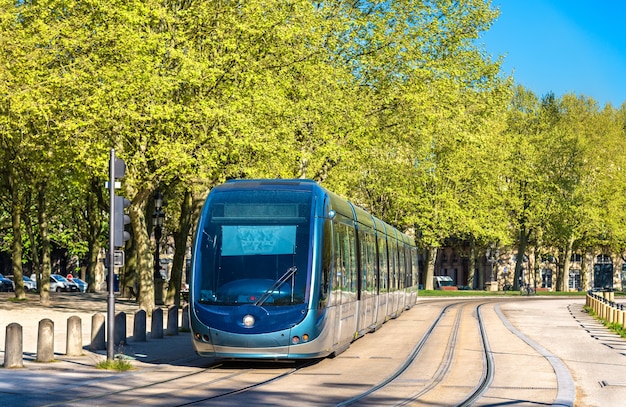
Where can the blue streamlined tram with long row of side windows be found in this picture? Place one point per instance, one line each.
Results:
(285, 269)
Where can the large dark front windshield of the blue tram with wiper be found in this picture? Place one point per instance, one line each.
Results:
(254, 248)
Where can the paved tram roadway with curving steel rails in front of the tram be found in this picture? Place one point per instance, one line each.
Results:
(450, 337)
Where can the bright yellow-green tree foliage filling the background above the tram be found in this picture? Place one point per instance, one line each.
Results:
(393, 104)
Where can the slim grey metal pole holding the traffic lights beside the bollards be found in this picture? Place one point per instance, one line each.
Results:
(111, 274)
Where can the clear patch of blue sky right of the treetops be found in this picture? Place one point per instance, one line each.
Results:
(563, 46)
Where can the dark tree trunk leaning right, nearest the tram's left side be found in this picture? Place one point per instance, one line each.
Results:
(180, 250)
